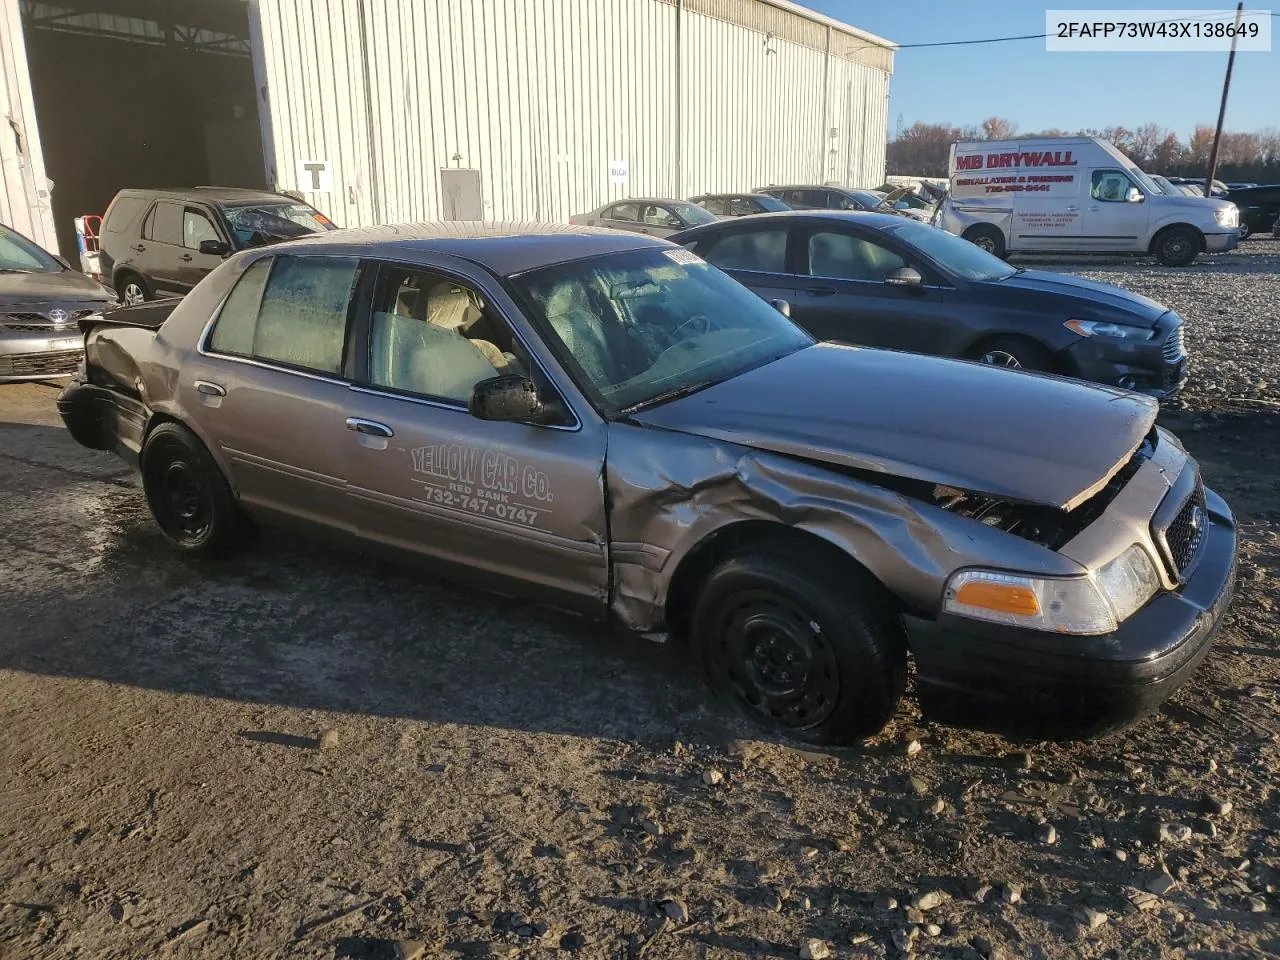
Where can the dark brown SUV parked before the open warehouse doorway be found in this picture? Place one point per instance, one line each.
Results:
(163, 243)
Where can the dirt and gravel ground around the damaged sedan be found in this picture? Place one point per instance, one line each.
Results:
(307, 755)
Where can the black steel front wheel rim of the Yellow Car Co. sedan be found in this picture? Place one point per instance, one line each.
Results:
(779, 662)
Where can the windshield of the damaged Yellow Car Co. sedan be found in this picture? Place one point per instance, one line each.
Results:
(646, 326)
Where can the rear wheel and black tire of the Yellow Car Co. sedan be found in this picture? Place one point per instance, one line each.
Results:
(189, 495)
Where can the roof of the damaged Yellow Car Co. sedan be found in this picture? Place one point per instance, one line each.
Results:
(505, 249)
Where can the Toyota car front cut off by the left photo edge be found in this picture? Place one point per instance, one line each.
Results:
(42, 303)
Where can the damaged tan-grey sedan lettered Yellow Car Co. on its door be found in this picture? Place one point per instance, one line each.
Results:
(609, 424)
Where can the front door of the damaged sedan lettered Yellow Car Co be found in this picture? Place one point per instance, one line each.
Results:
(516, 502)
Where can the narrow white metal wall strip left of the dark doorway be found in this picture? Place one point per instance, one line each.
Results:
(25, 203)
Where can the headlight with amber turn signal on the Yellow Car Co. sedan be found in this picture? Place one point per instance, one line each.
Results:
(1091, 605)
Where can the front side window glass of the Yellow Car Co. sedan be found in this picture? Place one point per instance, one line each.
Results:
(436, 337)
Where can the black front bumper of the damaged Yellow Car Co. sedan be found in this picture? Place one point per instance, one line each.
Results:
(1049, 685)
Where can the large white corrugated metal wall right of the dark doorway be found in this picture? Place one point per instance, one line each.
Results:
(541, 97)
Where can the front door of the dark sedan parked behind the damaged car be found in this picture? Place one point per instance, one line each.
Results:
(843, 294)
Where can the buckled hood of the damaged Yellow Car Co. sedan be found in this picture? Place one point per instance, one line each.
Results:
(1003, 433)
